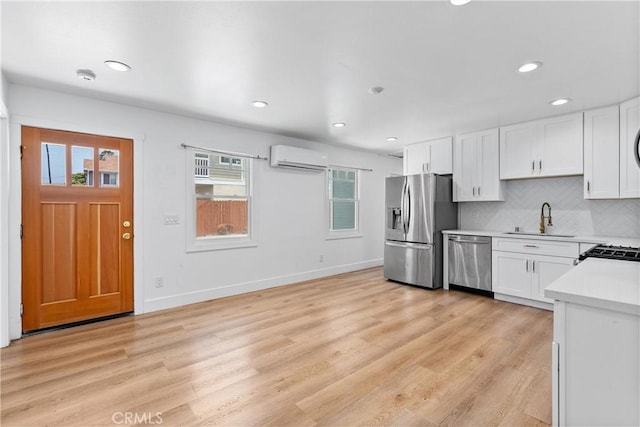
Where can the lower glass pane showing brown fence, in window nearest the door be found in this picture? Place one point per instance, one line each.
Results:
(221, 217)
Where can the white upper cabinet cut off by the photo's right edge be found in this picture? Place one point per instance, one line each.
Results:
(629, 169)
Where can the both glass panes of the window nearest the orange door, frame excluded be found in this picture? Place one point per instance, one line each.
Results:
(222, 196)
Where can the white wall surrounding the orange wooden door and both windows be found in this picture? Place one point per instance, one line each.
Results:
(292, 223)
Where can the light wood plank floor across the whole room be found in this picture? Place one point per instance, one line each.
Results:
(348, 350)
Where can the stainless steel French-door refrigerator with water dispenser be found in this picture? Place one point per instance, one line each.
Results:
(418, 208)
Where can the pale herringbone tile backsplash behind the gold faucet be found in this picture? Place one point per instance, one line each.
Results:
(572, 214)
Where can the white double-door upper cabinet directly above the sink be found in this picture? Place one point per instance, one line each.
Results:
(542, 148)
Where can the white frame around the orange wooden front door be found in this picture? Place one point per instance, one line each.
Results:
(13, 317)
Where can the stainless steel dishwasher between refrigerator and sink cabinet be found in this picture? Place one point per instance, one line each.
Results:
(470, 261)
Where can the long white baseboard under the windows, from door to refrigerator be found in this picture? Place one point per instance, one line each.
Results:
(242, 288)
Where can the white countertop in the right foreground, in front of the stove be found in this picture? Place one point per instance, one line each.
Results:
(601, 283)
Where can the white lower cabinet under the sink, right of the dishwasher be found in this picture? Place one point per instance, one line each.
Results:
(525, 267)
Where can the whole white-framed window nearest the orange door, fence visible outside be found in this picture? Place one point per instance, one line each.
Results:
(220, 207)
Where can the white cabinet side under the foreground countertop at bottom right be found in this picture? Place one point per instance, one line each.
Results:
(595, 369)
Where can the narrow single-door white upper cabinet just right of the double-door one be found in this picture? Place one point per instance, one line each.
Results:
(602, 153)
